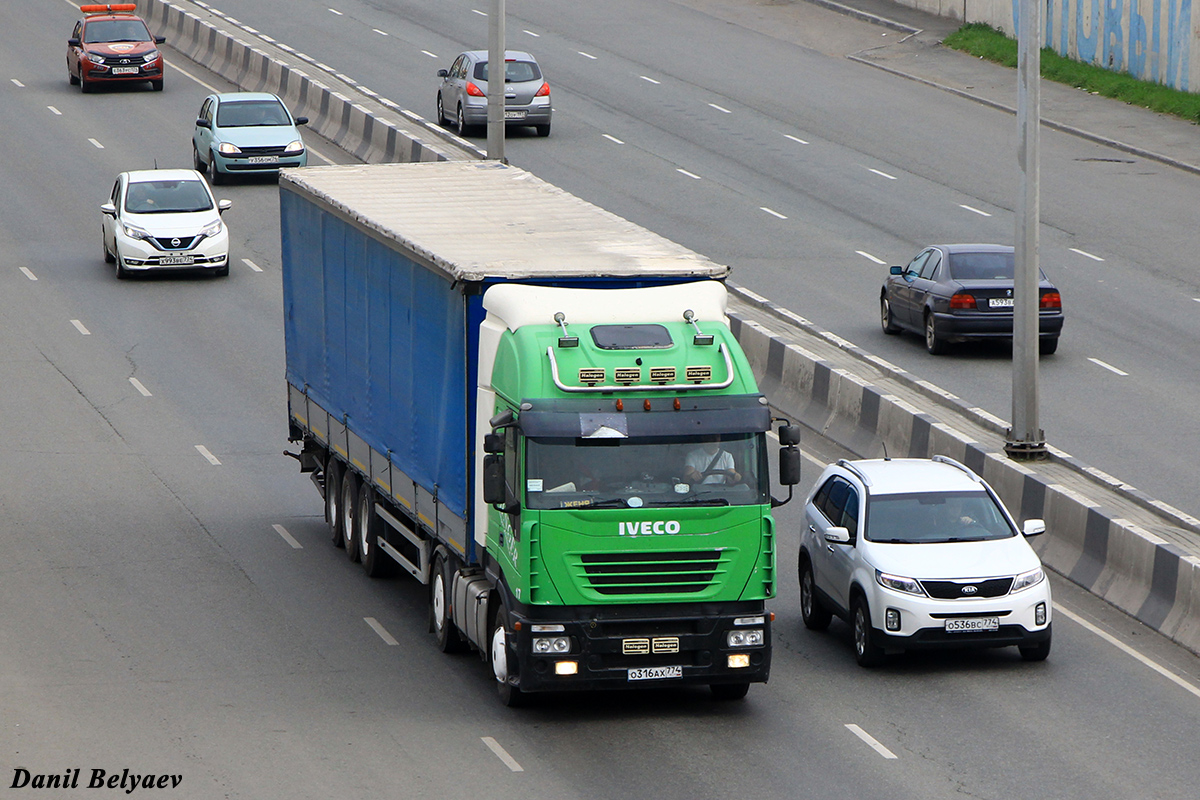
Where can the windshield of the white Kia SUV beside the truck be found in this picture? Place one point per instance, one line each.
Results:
(935, 518)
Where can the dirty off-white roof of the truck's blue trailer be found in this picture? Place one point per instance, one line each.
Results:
(483, 220)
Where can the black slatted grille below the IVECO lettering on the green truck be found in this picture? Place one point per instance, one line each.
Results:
(641, 574)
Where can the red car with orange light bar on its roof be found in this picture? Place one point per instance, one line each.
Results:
(113, 45)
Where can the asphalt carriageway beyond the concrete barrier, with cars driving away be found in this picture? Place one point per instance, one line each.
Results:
(760, 146)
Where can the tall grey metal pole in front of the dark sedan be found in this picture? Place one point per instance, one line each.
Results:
(1027, 441)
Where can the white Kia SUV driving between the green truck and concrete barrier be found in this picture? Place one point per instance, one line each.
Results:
(919, 554)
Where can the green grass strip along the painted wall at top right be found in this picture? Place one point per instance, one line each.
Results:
(986, 41)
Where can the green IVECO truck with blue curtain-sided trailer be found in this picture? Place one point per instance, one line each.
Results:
(537, 410)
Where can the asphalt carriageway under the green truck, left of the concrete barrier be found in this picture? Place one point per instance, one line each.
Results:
(172, 616)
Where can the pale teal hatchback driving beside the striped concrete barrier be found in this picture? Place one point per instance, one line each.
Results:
(247, 133)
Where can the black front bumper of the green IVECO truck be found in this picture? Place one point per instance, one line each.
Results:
(608, 643)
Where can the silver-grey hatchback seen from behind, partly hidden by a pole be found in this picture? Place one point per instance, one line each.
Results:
(463, 98)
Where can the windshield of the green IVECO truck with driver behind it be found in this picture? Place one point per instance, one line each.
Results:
(657, 472)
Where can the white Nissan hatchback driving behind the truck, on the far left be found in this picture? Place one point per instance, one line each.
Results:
(165, 220)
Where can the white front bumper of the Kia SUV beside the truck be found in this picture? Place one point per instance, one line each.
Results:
(923, 619)
